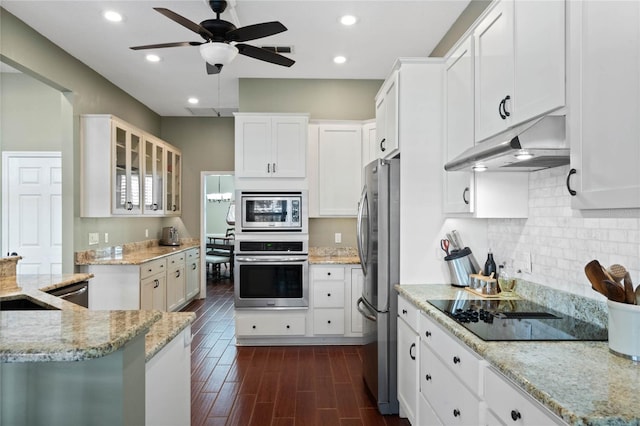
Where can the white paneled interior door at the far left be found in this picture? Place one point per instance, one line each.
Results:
(32, 210)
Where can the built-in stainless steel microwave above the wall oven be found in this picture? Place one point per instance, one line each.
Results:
(272, 211)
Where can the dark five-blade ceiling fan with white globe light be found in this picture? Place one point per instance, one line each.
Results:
(217, 49)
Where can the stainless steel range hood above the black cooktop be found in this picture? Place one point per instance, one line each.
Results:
(534, 145)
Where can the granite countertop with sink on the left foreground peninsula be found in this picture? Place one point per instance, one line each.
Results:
(72, 332)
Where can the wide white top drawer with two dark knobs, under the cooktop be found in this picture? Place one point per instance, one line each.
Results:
(462, 361)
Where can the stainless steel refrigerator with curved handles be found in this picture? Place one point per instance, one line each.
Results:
(378, 229)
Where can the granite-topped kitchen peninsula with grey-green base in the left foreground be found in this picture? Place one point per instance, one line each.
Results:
(66, 365)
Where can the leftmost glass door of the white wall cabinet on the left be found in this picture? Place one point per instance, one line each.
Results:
(127, 186)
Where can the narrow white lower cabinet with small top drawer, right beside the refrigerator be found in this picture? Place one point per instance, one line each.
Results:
(408, 356)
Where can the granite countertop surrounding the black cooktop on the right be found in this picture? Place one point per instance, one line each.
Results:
(581, 382)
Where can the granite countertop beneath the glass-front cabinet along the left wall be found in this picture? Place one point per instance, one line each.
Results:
(133, 253)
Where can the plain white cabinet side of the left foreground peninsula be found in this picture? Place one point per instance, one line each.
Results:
(168, 383)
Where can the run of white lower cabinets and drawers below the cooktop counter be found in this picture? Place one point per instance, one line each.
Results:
(449, 384)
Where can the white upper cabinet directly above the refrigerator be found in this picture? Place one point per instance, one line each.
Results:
(387, 118)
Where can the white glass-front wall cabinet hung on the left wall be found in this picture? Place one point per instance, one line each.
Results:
(122, 169)
